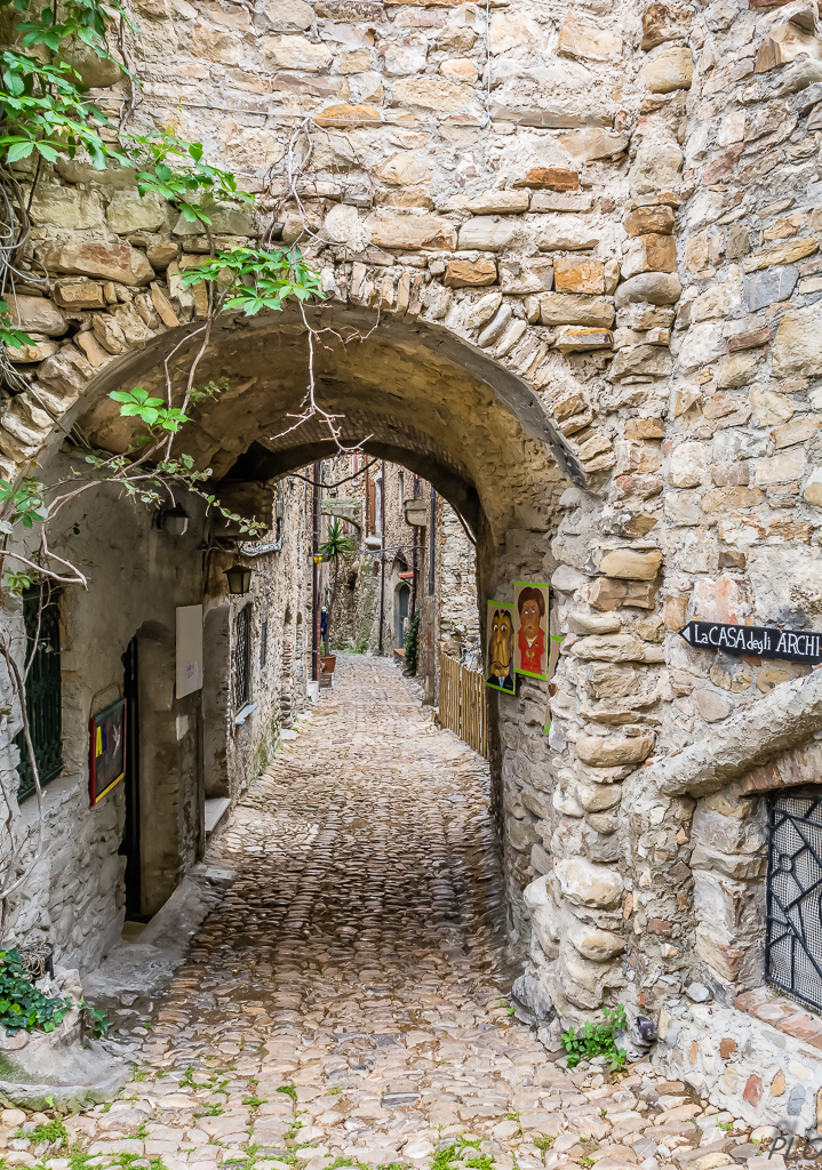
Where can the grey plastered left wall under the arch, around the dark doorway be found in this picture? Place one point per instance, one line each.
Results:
(137, 576)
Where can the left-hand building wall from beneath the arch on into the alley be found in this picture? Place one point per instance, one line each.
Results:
(137, 576)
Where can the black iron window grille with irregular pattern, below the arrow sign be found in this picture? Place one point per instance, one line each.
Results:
(793, 946)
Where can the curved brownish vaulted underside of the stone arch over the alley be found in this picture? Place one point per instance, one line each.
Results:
(410, 393)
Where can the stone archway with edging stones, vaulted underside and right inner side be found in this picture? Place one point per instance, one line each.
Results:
(452, 403)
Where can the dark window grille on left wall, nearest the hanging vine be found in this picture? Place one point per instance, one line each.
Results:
(44, 693)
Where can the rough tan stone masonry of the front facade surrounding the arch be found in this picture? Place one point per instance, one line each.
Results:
(592, 233)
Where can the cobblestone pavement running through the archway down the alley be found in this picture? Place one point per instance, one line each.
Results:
(347, 1001)
